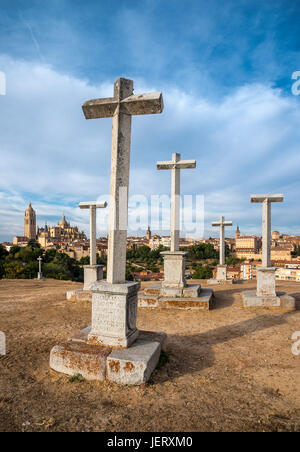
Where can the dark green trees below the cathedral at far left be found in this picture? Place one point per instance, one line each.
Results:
(21, 263)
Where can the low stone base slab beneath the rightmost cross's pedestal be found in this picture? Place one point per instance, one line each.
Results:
(280, 300)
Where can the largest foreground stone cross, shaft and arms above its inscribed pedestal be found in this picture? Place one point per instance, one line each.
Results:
(121, 107)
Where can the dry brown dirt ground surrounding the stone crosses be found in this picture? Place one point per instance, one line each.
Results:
(230, 369)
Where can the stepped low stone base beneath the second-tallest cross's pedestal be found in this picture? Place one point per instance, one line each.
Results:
(192, 297)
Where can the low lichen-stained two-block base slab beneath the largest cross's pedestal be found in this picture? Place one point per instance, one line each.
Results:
(130, 366)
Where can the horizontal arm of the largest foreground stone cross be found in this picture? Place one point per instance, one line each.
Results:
(135, 104)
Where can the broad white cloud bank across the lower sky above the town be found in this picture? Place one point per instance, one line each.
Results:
(244, 143)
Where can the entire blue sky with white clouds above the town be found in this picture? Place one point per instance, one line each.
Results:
(225, 70)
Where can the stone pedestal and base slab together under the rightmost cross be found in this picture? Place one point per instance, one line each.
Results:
(266, 295)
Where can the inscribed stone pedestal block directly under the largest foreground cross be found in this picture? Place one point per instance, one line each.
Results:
(114, 314)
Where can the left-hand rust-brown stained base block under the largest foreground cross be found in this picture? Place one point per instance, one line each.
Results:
(79, 358)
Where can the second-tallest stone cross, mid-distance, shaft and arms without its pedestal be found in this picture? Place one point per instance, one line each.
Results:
(176, 164)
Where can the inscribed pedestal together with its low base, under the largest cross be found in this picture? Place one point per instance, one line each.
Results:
(111, 348)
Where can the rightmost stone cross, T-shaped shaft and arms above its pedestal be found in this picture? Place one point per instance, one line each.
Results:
(266, 224)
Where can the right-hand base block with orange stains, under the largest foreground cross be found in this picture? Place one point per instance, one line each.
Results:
(133, 365)
